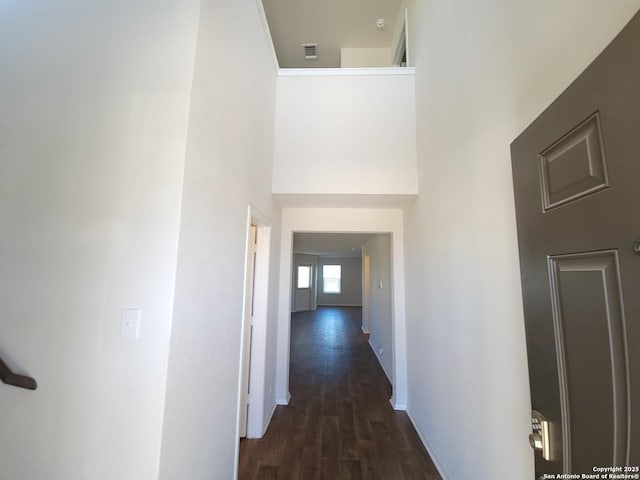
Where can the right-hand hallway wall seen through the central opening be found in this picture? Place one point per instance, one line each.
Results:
(381, 300)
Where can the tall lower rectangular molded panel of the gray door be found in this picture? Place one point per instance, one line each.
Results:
(594, 276)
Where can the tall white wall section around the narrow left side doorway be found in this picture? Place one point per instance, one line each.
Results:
(229, 156)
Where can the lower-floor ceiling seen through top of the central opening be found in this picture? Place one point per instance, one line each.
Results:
(330, 244)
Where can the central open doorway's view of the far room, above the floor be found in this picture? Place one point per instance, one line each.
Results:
(347, 270)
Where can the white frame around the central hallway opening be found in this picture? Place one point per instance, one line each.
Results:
(343, 220)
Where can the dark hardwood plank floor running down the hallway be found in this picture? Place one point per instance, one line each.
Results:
(339, 423)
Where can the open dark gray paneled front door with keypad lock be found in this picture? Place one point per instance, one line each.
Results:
(576, 173)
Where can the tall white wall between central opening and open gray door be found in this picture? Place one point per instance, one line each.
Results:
(484, 70)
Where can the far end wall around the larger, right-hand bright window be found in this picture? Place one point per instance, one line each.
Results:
(351, 282)
